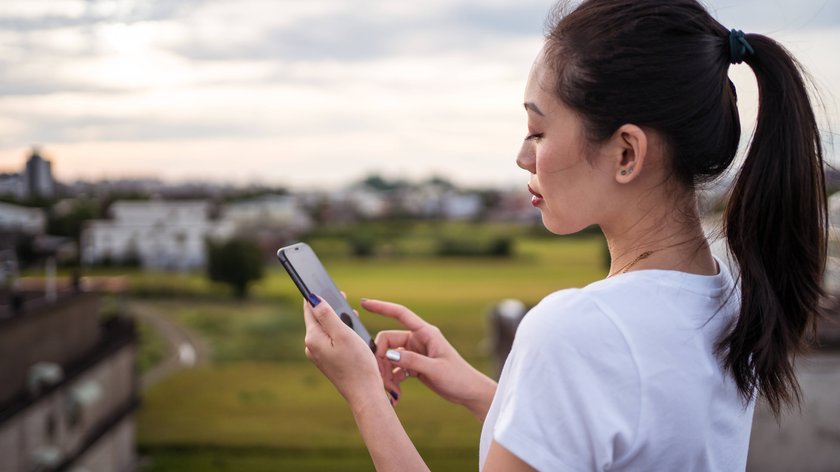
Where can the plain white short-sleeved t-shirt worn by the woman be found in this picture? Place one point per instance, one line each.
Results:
(622, 375)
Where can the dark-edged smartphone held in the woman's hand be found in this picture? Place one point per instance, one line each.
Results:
(310, 276)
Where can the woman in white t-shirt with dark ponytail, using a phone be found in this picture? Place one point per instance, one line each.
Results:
(658, 366)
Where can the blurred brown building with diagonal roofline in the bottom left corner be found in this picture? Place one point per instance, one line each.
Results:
(68, 387)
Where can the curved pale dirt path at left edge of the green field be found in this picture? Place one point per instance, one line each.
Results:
(185, 350)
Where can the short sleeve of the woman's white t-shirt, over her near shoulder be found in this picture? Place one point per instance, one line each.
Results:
(570, 394)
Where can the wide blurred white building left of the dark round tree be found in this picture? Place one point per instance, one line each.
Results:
(161, 235)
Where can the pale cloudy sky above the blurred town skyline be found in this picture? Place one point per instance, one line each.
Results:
(309, 93)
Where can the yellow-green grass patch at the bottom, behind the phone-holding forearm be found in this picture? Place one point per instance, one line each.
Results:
(292, 410)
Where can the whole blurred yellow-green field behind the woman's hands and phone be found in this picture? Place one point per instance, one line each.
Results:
(259, 405)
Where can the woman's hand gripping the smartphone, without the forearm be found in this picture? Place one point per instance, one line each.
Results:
(343, 357)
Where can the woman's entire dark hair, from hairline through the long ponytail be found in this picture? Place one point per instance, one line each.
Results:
(664, 65)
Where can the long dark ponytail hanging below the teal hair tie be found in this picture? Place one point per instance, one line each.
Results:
(776, 226)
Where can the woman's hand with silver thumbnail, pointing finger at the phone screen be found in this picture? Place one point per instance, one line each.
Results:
(423, 352)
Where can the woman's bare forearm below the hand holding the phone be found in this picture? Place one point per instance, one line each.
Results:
(388, 444)
